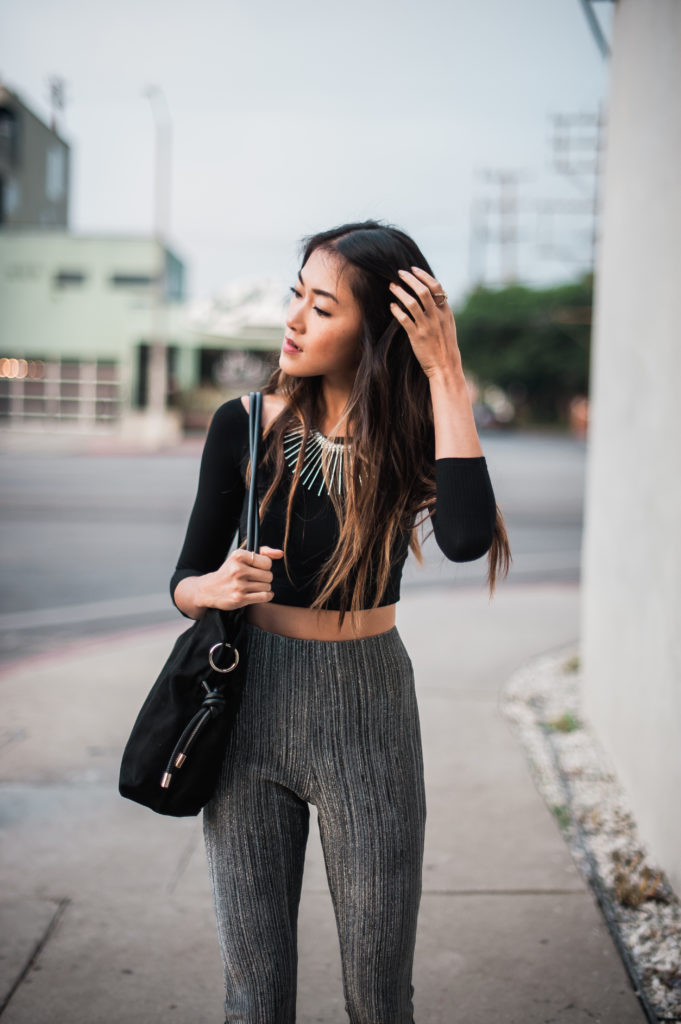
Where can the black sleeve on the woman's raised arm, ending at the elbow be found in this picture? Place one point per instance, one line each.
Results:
(465, 509)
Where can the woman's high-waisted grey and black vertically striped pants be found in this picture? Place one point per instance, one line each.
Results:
(333, 723)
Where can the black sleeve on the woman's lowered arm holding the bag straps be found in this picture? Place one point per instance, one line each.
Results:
(218, 506)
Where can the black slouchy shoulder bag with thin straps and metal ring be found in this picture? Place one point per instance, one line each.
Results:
(173, 760)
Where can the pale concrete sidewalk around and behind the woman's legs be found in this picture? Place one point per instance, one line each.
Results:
(107, 911)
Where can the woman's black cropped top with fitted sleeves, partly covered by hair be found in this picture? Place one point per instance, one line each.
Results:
(463, 523)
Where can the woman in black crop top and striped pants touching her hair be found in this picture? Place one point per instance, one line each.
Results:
(367, 426)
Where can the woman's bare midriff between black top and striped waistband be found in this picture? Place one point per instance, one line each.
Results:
(314, 624)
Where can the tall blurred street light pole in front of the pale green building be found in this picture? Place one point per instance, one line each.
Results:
(157, 373)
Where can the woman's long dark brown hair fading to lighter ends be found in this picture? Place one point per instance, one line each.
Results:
(389, 472)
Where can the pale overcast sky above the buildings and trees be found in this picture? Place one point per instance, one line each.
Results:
(291, 118)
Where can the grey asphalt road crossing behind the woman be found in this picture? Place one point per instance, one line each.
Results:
(89, 543)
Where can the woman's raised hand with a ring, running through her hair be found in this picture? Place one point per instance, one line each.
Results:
(431, 328)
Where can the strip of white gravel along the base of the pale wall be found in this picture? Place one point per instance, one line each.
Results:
(573, 773)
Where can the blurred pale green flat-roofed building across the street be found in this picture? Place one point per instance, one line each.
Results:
(76, 323)
